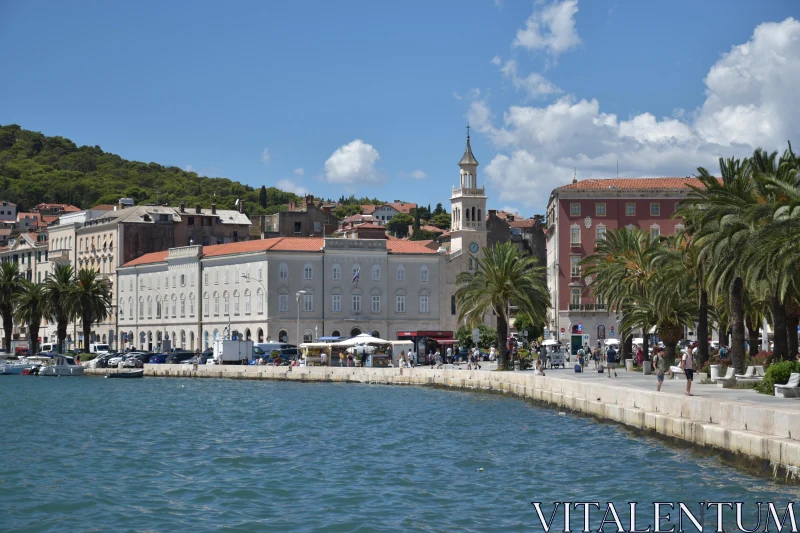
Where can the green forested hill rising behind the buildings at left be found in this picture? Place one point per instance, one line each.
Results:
(36, 168)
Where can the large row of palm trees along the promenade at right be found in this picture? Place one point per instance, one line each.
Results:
(734, 264)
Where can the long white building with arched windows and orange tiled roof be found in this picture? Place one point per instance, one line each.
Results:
(282, 289)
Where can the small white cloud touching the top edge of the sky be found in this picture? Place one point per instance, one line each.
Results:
(551, 28)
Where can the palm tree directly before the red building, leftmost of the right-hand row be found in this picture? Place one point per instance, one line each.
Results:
(621, 267)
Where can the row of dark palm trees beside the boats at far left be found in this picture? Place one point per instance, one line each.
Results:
(64, 296)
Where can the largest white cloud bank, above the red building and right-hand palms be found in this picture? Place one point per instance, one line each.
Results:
(750, 102)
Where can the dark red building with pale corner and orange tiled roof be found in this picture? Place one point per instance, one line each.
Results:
(578, 215)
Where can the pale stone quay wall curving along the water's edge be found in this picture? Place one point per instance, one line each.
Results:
(755, 429)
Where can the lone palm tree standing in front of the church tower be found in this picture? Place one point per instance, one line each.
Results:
(503, 276)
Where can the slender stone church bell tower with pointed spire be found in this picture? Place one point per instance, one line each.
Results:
(468, 207)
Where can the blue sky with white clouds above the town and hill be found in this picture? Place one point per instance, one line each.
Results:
(373, 98)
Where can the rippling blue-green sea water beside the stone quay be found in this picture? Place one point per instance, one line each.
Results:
(88, 454)
